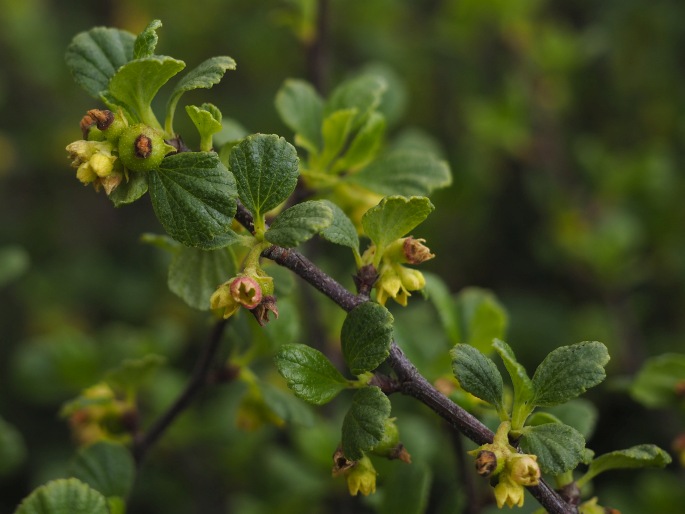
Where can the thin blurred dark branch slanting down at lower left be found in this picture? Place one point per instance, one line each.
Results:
(144, 441)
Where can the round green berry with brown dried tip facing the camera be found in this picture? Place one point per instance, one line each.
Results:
(142, 148)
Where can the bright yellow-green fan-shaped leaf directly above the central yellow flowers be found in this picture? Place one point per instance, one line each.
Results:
(394, 217)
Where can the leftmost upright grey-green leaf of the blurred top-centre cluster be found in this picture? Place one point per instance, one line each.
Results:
(301, 109)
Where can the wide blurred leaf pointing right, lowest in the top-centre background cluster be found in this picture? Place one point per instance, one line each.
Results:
(404, 172)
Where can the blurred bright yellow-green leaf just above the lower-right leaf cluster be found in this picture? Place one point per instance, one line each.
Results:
(483, 318)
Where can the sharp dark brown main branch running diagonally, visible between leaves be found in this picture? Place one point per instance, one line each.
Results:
(409, 381)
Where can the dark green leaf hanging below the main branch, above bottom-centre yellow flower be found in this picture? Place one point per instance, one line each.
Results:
(364, 423)
